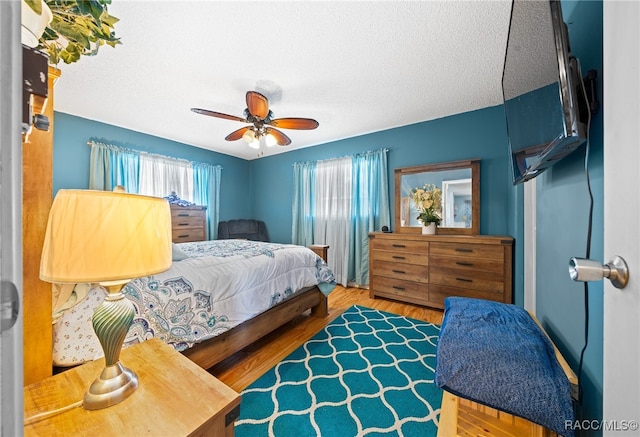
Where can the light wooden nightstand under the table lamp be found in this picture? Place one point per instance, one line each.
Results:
(175, 397)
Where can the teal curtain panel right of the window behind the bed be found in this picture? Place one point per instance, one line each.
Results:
(206, 191)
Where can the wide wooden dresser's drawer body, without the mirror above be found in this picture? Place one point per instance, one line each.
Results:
(425, 269)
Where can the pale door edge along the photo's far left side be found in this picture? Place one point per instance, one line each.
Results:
(11, 405)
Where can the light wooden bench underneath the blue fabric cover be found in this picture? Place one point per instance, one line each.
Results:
(462, 417)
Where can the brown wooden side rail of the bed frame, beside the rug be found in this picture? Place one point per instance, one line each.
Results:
(216, 349)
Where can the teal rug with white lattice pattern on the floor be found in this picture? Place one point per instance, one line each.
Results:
(367, 373)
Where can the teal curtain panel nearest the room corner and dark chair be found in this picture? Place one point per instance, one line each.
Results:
(304, 175)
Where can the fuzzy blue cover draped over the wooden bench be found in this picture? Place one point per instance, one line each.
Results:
(495, 354)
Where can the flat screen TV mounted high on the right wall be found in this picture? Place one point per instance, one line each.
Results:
(542, 88)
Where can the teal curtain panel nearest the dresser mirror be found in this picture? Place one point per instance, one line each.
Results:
(369, 209)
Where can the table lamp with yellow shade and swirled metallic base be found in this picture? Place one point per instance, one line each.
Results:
(107, 238)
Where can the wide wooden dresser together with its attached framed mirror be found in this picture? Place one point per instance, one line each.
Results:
(425, 269)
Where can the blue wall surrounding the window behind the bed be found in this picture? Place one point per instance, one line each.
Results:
(71, 159)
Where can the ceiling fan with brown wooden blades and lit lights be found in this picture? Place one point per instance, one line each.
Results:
(262, 122)
